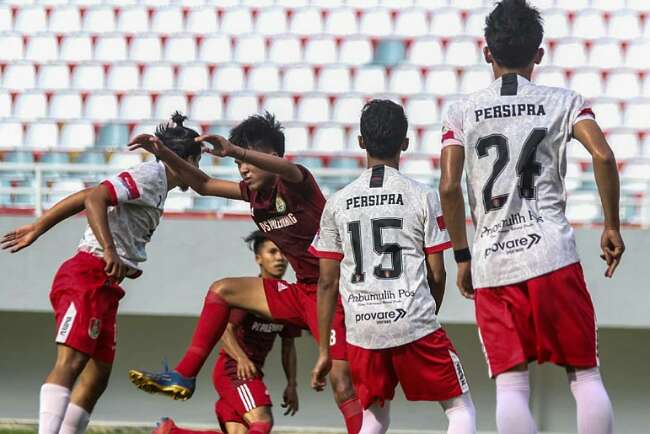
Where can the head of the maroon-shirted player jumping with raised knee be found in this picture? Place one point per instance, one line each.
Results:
(260, 133)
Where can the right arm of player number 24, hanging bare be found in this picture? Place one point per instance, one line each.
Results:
(592, 138)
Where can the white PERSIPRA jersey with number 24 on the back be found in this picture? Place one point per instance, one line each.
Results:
(515, 135)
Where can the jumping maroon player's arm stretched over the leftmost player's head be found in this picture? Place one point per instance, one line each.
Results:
(198, 180)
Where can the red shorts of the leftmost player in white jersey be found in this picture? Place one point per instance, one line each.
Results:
(85, 307)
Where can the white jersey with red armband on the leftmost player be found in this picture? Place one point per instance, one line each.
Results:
(138, 196)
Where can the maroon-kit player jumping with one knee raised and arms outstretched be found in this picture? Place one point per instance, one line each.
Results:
(286, 204)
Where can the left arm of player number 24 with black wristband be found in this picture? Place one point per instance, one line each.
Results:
(453, 209)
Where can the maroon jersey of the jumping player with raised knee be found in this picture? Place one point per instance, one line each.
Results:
(289, 215)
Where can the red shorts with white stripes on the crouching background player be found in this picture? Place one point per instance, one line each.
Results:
(237, 397)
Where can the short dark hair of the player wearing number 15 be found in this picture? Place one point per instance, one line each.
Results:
(383, 128)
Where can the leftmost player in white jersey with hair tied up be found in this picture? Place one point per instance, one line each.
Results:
(123, 212)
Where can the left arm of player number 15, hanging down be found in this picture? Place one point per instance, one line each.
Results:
(328, 291)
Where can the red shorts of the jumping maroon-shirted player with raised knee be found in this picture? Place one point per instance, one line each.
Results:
(296, 303)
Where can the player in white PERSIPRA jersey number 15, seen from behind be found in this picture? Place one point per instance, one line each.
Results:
(380, 243)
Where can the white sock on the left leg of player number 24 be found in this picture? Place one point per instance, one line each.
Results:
(513, 412)
